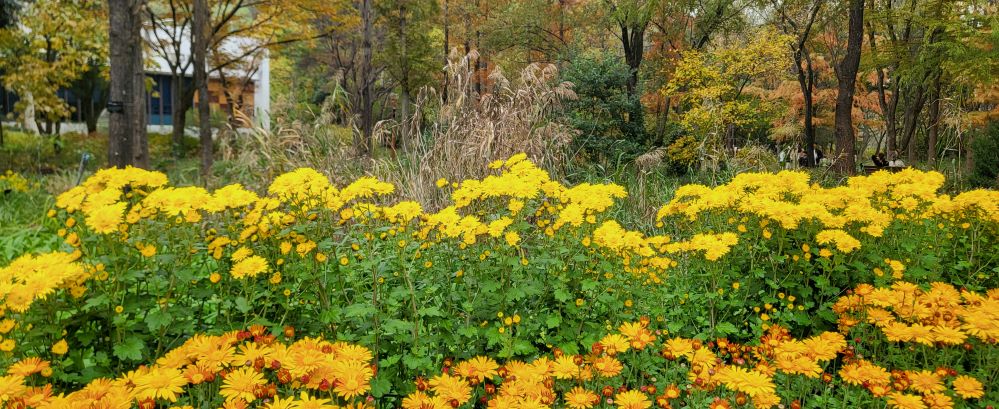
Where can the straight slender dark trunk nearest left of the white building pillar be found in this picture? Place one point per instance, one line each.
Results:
(201, 43)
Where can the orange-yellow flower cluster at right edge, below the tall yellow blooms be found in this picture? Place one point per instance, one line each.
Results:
(940, 315)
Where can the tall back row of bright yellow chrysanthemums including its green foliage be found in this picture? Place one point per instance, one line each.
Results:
(516, 266)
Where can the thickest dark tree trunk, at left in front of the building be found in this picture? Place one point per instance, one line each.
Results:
(127, 125)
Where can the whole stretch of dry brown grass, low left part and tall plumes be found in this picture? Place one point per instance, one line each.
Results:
(455, 134)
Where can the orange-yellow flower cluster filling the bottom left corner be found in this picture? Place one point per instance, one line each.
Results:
(248, 366)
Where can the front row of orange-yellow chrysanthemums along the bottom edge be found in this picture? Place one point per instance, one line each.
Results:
(635, 367)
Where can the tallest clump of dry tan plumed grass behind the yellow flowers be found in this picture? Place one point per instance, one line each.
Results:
(464, 131)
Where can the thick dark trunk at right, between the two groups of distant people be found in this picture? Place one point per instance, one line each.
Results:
(847, 80)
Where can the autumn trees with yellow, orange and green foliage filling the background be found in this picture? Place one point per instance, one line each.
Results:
(911, 78)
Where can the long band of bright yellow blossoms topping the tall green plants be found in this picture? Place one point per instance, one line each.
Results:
(112, 200)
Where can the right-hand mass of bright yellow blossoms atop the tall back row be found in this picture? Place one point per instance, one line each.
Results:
(868, 204)
